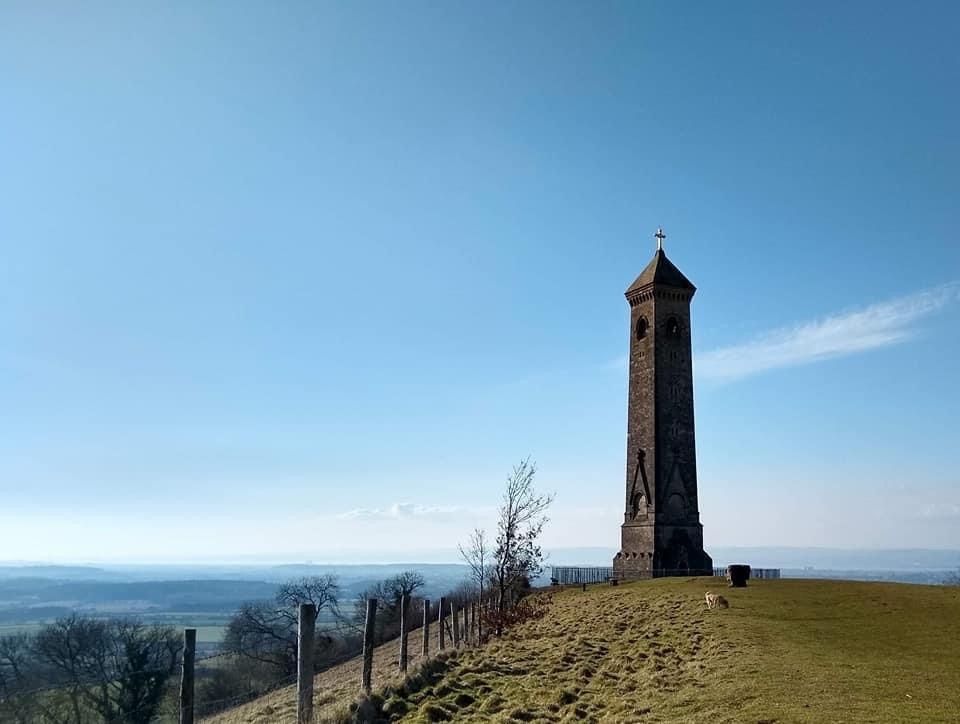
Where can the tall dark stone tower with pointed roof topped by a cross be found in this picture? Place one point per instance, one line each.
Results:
(661, 533)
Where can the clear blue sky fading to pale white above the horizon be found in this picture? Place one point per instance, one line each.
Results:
(304, 280)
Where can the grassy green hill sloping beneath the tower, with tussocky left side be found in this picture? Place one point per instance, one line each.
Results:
(785, 651)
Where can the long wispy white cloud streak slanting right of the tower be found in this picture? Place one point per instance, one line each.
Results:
(878, 325)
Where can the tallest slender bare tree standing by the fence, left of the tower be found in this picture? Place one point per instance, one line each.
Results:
(517, 557)
